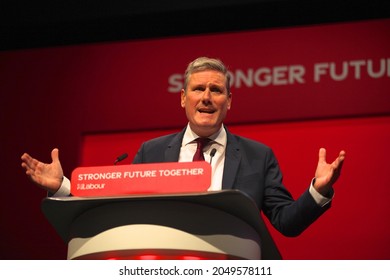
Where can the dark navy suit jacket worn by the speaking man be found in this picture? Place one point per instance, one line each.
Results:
(252, 168)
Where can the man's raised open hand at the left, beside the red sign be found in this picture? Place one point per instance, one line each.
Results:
(47, 176)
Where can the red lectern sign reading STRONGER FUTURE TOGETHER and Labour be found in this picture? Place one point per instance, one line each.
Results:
(158, 178)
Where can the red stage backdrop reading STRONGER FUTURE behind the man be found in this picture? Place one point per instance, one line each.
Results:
(295, 89)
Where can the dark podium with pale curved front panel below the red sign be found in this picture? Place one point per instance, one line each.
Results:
(209, 225)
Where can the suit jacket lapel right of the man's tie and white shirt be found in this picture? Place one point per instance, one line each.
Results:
(232, 161)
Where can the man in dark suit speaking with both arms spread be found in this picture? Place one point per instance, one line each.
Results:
(237, 162)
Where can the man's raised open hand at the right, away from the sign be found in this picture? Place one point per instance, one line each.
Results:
(327, 173)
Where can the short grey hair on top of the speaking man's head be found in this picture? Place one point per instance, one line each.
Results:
(205, 63)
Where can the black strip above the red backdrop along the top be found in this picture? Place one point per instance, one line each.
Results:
(31, 24)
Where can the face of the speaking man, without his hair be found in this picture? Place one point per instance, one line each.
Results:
(206, 101)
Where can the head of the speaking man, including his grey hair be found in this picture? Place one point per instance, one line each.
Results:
(206, 95)
